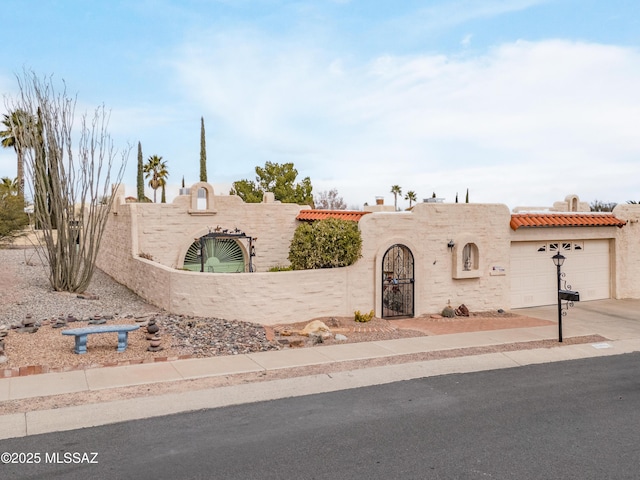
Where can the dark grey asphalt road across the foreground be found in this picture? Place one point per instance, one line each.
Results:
(568, 420)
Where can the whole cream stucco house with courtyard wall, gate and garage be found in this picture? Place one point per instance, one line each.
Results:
(413, 262)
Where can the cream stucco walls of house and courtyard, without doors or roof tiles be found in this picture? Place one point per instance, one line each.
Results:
(165, 231)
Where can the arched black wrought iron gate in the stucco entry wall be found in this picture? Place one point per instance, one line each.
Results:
(397, 282)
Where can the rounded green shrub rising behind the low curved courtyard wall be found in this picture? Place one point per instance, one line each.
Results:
(327, 243)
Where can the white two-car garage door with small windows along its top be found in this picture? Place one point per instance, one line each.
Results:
(533, 274)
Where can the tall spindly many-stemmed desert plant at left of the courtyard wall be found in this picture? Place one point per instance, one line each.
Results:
(67, 182)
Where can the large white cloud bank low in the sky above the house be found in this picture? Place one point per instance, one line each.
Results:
(526, 123)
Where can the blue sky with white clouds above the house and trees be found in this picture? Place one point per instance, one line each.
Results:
(521, 101)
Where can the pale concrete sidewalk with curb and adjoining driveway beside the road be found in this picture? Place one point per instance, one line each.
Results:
(616, 320)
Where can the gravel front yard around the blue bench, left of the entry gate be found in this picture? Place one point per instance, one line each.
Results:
(25, 290)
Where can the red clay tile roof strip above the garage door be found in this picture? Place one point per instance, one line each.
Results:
(565, 220)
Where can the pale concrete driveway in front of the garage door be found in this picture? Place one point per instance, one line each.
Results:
(613, 319)
